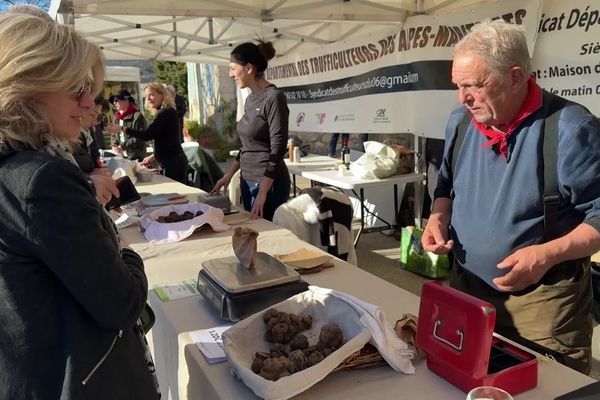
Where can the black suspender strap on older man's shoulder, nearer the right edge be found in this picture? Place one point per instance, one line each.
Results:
(550, 194)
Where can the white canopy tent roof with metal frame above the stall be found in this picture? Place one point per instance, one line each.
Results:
(205, 30)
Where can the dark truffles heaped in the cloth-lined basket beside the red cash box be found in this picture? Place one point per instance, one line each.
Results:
(290, 350)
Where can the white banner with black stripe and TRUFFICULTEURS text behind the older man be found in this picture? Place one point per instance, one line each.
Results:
(388, 81)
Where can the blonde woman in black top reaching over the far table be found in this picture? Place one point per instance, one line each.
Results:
(164, 130)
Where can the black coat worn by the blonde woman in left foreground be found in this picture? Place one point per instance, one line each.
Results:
(68, 297)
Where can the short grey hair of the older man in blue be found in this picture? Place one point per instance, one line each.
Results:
(500, 44)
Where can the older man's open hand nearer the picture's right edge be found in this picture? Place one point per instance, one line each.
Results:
(528, 265)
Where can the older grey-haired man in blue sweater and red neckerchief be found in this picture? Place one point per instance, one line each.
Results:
(488, 205)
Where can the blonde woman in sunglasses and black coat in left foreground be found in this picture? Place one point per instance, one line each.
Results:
(71, 294)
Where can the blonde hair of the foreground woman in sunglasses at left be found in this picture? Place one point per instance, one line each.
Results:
(39, 56)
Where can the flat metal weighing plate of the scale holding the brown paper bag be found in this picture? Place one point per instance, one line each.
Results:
(233, 277)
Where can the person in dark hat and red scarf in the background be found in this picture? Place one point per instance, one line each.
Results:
(128, 116)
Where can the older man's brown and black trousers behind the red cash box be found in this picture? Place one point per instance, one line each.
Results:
(553, 315)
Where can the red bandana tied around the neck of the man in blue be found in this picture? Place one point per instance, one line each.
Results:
(532, 103)
